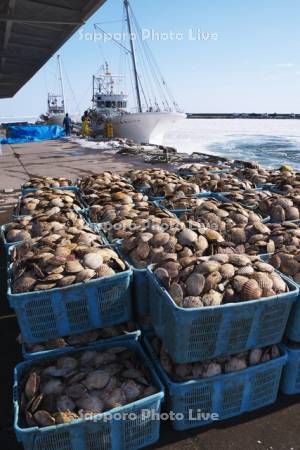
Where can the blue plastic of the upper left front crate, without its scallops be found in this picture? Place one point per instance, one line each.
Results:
(45, 315)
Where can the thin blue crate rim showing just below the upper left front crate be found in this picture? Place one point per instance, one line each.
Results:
(56, 351)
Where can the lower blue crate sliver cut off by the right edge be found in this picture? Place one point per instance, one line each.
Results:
(290, 382)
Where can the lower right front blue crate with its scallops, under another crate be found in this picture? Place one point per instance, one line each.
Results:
(198, 394)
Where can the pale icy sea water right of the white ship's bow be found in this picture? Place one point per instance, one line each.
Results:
(269, 142)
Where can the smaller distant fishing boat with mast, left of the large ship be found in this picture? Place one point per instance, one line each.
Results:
(56, 110)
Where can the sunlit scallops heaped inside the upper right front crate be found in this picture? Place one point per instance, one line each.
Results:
(195, 282)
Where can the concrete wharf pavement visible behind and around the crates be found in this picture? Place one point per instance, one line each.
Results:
(273, 428)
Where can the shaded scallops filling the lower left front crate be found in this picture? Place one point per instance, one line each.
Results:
(91, 382)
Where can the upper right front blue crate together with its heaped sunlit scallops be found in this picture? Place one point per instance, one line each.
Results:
(214, 306)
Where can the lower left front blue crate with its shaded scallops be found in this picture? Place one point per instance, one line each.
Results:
(88, 398)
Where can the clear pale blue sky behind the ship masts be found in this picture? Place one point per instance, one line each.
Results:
(216, 56)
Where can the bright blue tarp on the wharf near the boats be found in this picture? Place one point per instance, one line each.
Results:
(32, 133)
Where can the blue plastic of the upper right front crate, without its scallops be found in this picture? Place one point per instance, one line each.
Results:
(198, 334)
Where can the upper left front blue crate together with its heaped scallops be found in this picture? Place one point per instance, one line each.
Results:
(67, 290)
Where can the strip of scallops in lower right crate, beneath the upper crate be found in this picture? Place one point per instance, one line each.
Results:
(181, 373)
